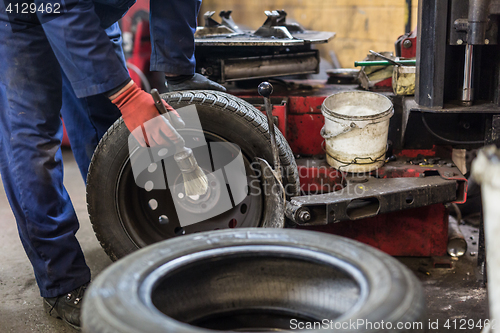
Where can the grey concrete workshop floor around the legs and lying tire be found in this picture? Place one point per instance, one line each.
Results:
(451, 293)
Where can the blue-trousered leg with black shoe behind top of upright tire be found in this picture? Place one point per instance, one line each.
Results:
(173, 24)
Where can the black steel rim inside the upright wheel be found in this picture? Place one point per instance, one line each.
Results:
(149, 216)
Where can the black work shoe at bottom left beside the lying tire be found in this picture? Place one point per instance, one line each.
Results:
(66, 307)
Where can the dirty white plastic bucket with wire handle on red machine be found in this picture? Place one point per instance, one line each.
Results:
(356, 129)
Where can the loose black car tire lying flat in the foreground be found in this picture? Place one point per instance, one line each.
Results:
(255, 279)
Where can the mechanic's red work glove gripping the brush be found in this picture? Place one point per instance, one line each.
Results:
(139, 112)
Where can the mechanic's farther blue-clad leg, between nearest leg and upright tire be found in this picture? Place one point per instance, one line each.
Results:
(87, 119)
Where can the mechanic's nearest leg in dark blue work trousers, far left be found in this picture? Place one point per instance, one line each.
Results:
(31, 161)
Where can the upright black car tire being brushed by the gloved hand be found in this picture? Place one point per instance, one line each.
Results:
(121, 212)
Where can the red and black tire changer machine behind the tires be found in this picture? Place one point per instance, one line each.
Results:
(455, 109)
